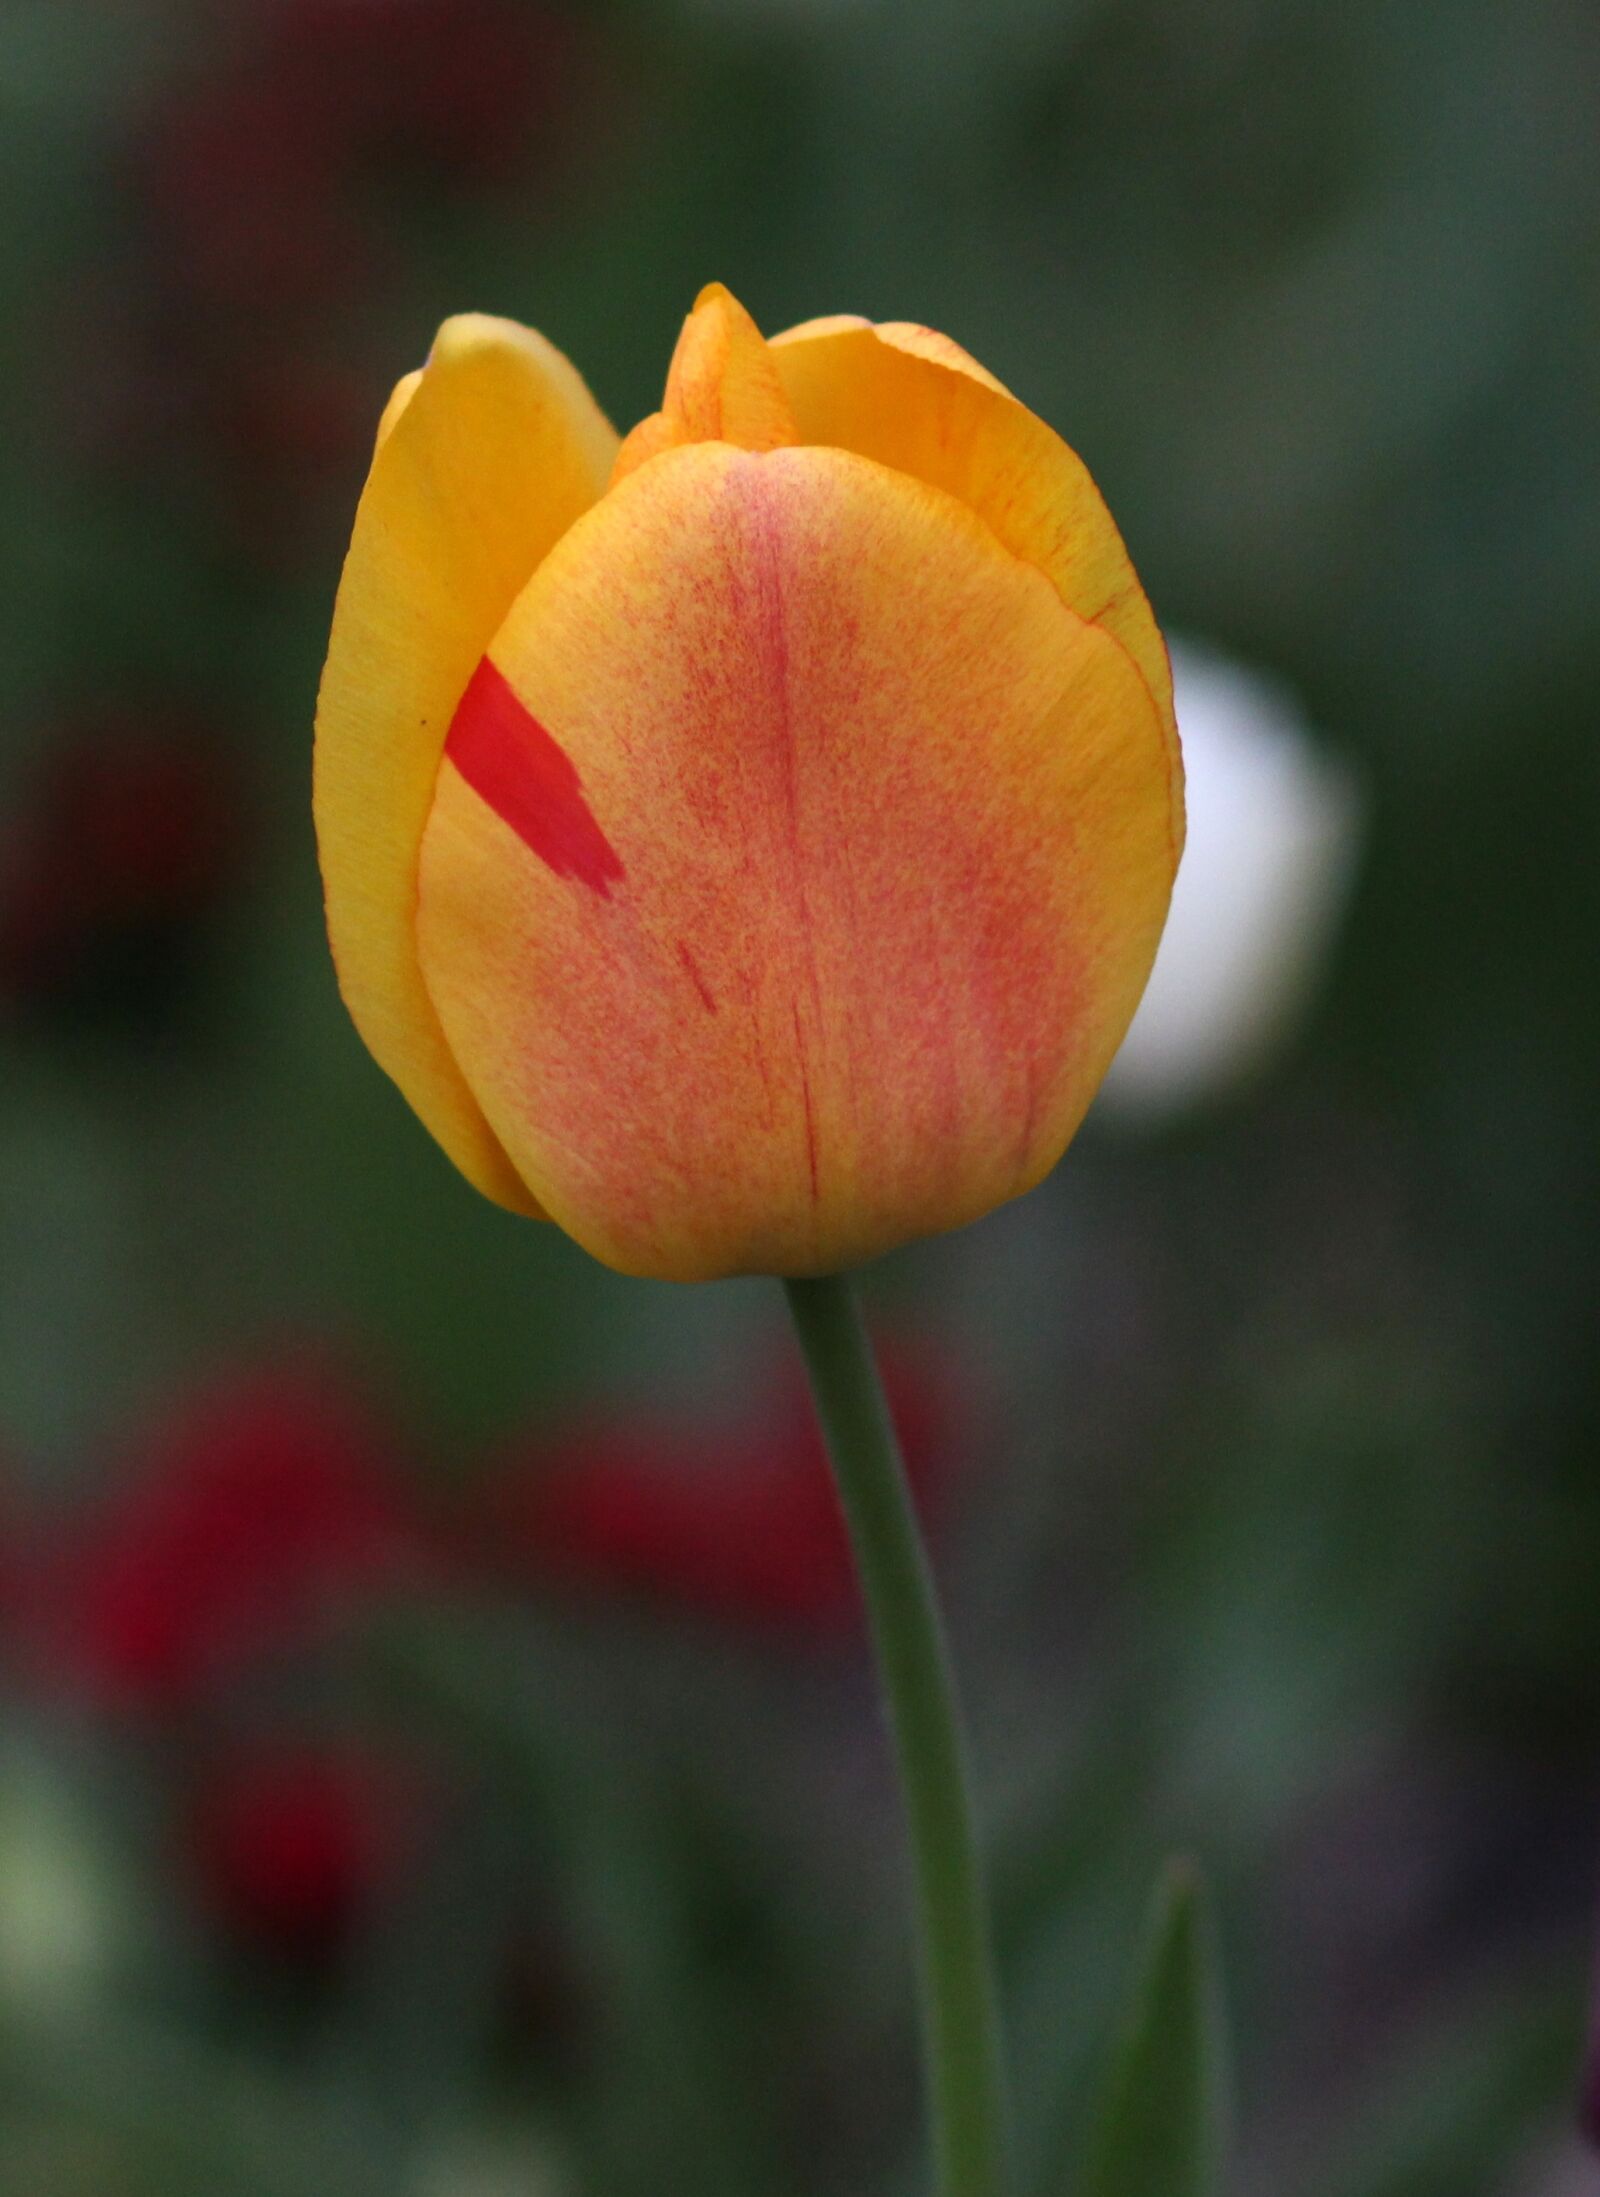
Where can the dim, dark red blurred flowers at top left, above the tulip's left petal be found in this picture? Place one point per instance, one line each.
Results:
(267, 243)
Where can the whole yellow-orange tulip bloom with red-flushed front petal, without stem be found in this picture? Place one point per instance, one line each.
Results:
(744, 845)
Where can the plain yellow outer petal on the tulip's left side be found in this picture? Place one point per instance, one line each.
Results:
(485, 460)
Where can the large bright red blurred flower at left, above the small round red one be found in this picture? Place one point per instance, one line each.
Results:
(263, 1515)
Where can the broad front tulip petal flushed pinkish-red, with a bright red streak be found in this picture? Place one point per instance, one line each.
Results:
(797, 865)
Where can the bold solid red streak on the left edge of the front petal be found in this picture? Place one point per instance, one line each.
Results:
(529, 781)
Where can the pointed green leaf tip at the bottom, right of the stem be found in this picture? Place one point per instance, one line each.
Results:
(1162, 2126)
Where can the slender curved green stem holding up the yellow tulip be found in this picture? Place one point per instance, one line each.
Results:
(962, 2031)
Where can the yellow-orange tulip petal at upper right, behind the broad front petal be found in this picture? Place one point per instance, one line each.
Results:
(915, 401)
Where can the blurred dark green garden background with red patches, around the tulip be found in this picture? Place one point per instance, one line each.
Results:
(434, 1750)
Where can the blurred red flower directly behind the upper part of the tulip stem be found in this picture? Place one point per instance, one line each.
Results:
(740, 1524)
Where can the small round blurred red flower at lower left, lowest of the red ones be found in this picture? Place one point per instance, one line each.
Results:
(293, 1844)
